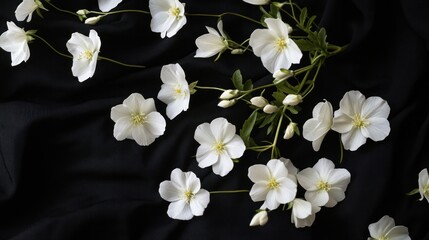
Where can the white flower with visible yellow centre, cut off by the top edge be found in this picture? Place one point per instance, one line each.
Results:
(168, 16)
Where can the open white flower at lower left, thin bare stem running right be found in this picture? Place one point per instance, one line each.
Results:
(184, 192)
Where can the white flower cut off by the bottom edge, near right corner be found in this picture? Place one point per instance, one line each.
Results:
(385, 229)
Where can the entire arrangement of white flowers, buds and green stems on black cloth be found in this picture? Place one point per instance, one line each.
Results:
(286, 35)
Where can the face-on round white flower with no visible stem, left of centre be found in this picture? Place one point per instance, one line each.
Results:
(136, 118)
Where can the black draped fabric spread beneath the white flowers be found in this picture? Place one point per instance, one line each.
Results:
(64, 176)
